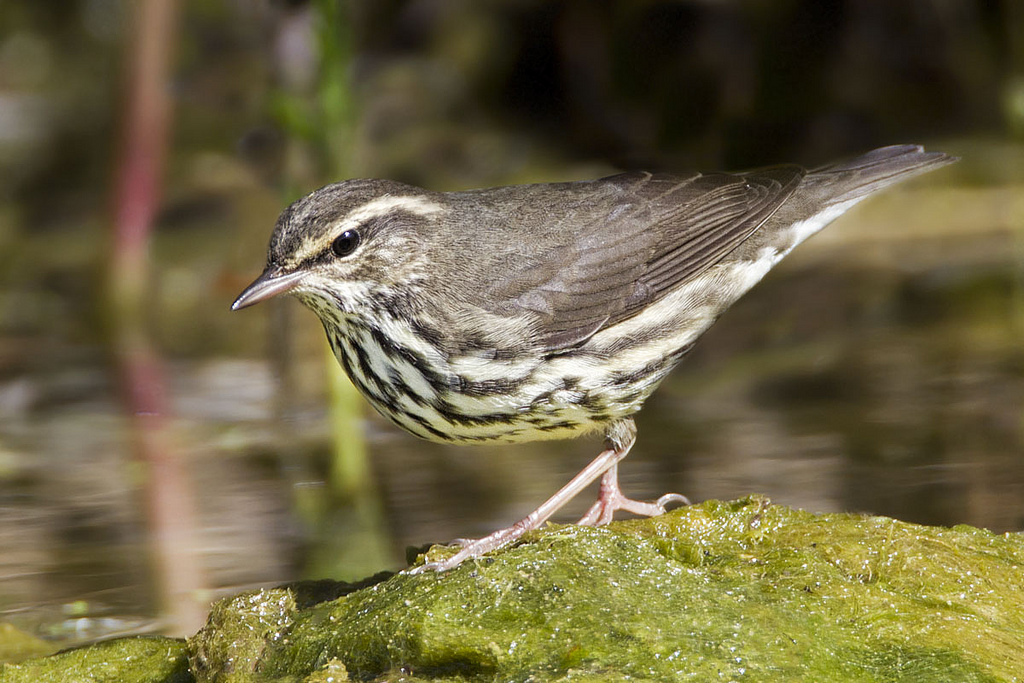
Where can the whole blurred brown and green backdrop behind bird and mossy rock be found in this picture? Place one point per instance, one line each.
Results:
(158, 451)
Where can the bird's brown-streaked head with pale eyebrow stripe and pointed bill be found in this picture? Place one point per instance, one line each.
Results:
(345, 245)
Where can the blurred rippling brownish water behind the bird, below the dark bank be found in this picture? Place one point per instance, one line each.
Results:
(892, 386)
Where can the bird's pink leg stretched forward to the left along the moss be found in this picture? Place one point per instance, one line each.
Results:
(619, 440)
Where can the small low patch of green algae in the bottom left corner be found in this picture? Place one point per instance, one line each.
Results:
(138, 660)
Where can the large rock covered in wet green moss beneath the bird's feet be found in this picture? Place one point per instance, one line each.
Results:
(718, 591)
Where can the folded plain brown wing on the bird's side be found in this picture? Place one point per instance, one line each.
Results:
(655, 233)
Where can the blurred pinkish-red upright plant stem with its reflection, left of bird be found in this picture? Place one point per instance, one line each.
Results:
(137, 198)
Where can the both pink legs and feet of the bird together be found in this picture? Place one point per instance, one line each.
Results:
(619, 440)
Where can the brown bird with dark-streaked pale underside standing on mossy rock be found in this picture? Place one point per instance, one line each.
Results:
(545, 312)
